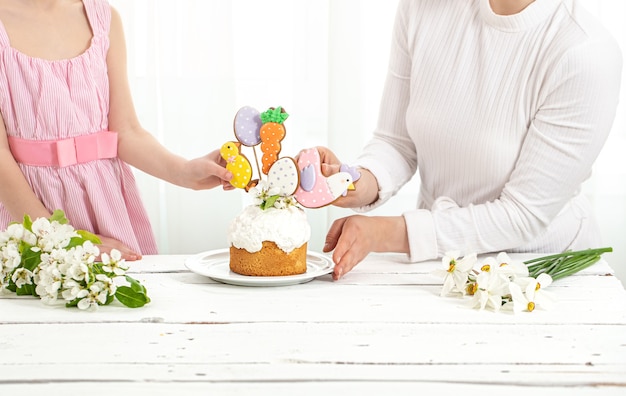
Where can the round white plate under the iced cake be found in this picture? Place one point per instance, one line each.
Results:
(215, 265)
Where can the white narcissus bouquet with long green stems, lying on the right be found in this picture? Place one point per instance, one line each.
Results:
(501, 283)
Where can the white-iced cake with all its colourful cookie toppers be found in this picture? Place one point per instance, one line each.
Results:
(270, 236)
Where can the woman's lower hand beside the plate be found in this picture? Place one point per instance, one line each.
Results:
(353, 238)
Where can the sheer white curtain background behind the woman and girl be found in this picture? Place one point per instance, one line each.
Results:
(194, 63)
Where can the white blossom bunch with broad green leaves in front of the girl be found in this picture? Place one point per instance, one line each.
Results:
(49, 259)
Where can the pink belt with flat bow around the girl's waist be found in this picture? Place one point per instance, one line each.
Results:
(65, 152)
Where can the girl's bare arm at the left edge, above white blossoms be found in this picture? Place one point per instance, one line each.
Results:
(15, 192)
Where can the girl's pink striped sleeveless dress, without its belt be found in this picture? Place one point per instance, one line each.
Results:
(52, 100)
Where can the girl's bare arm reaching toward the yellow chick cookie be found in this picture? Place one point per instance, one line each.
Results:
(138, 147)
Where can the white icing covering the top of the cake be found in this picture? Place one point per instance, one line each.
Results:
(288, 228)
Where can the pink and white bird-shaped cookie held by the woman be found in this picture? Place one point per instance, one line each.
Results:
(315, 189)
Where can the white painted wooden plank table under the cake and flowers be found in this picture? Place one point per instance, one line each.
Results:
(383, 329)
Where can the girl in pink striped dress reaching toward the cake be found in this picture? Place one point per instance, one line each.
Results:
(69, 131)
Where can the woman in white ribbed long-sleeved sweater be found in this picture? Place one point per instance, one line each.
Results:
(502, 106)
